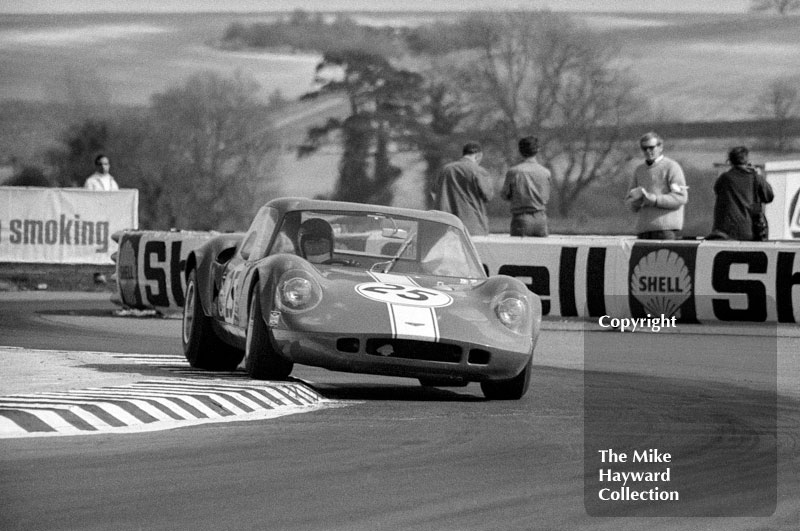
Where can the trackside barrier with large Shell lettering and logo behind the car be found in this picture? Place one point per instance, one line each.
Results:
(576, 276)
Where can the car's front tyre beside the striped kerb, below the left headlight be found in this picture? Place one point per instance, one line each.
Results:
(260, 358)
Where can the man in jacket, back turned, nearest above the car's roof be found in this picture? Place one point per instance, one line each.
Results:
(463, 188)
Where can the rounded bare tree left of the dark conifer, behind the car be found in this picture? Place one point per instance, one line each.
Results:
(212, 150)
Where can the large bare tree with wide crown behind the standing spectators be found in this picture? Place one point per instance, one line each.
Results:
(542, 72)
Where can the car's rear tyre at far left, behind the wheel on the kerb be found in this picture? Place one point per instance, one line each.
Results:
(201, 346)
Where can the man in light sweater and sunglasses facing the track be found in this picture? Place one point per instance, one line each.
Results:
(657, 193)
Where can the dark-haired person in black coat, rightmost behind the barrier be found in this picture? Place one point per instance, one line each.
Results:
(737, 190)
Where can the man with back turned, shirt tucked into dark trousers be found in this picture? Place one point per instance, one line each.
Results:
(527, 186)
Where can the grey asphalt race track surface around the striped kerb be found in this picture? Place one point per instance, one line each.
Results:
(388, 454)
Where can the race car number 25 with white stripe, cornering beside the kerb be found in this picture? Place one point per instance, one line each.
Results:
(358, 288)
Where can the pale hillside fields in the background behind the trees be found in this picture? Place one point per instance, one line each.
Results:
(690, 67)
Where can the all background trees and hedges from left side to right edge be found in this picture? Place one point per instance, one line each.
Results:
(201, 153)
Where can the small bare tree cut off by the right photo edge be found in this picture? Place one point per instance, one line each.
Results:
(780, 102)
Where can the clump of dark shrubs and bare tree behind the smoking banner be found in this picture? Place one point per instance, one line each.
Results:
(199, 153)
